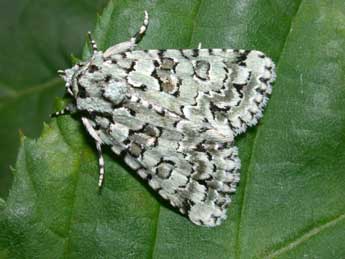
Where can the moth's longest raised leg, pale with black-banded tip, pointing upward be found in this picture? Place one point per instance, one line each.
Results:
(131, 43)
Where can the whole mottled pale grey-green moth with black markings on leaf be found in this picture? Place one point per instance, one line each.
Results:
(172, 116)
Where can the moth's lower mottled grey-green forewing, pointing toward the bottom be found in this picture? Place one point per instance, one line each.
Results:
(192, 165)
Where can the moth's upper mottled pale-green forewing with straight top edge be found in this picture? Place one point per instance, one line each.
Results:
(235, 84)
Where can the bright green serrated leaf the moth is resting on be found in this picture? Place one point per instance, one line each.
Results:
(290, 202)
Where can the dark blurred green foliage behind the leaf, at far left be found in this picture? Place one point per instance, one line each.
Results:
(36, 38)
